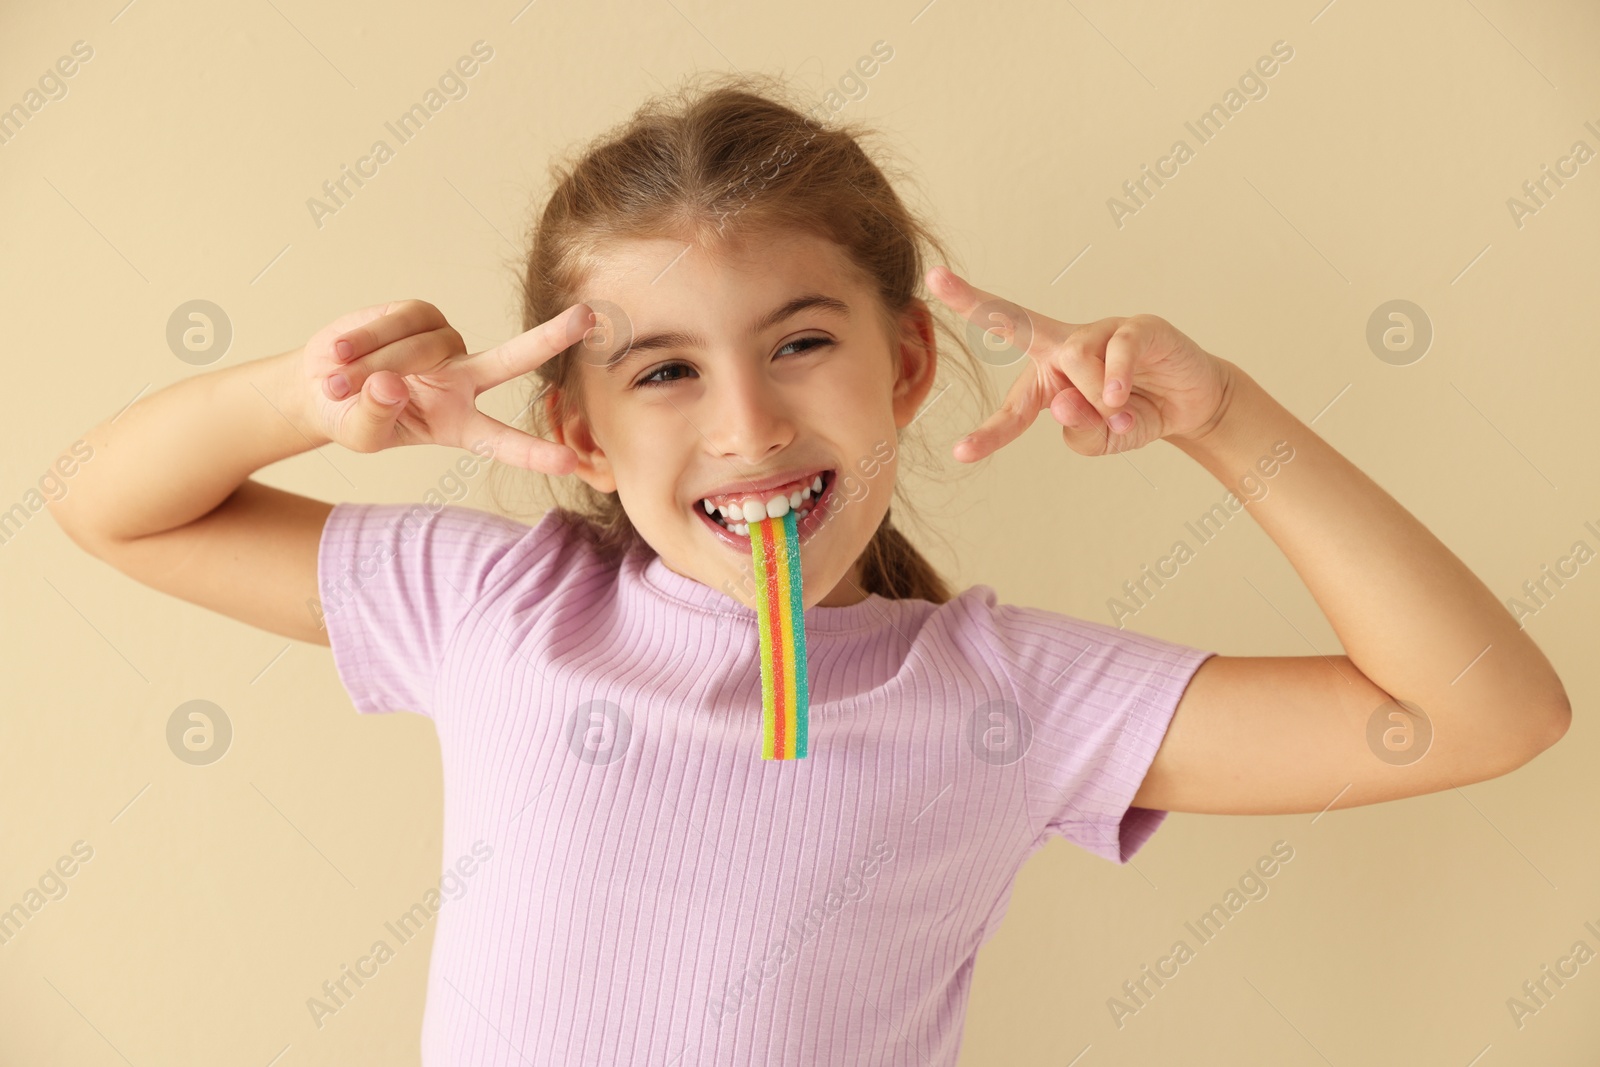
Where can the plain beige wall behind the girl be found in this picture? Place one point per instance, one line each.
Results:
(1378, 167)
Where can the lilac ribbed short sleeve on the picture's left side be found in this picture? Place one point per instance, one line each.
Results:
(396, 581)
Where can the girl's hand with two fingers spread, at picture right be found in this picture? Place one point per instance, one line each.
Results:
(1114, 385)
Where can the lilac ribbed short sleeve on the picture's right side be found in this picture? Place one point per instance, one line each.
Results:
(1095, 703)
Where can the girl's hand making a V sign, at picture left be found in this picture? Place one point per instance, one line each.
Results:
(399, 375)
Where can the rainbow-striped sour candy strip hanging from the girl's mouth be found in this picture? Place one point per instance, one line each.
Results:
(775, 553)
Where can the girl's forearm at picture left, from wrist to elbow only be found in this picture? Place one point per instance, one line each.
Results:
(175, 455)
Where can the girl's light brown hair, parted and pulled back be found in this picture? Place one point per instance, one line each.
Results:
(689, 164)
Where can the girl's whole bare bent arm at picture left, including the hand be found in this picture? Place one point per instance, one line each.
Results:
(167, 497)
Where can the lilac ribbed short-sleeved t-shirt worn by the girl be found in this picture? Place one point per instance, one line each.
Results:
(628, 882)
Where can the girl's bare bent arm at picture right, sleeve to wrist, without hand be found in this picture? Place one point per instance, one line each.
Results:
(1295, 733)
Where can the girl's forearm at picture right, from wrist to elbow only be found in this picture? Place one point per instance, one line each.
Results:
(1409, 613)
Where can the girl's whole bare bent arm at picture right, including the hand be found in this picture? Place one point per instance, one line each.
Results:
(1263, 735)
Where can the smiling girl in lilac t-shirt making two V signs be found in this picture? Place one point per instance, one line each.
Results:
(722, 308)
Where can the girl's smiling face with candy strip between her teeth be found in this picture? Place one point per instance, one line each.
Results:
(756, 375)
